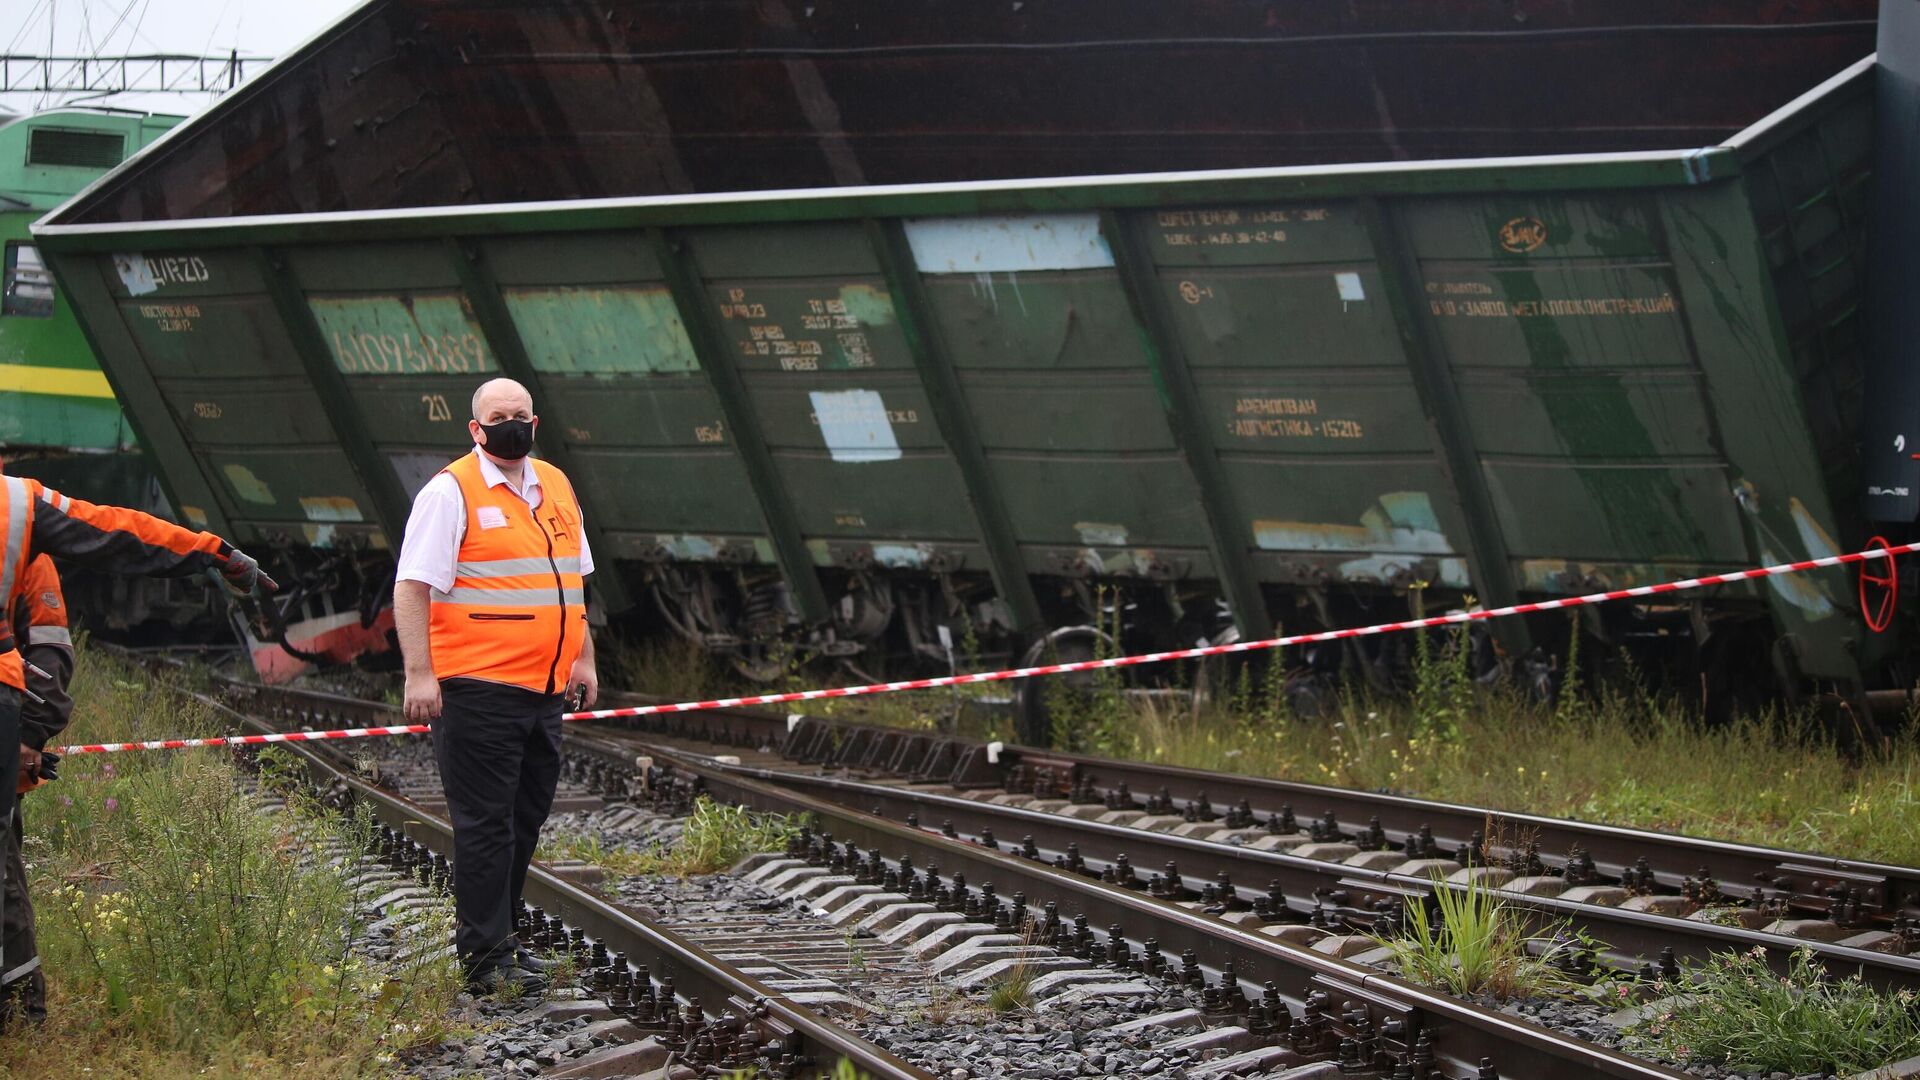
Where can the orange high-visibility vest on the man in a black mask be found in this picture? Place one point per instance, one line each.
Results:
(517, 608)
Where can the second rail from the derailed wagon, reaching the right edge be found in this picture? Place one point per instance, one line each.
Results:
(1301, 885)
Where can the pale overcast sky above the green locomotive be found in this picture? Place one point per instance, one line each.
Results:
(132, 28)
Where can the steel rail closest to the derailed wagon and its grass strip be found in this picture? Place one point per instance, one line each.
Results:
(1742, 871)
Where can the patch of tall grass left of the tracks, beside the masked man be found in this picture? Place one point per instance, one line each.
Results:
(187, 935)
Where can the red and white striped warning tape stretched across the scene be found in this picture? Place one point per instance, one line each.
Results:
(1195, 652)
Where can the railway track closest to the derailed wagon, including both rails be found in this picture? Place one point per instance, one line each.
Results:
(1347, 881)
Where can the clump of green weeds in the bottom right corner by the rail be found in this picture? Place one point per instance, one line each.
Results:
(1746, 1018)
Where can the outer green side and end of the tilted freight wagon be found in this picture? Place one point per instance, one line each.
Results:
(1249, 399)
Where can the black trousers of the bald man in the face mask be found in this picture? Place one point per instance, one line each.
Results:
(500, 764)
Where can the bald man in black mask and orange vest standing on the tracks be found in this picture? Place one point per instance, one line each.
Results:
(491, 608)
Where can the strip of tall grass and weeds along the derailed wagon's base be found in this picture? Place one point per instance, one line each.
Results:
(1616, 756)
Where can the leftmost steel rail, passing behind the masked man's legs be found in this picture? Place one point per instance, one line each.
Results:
(698, 975)
